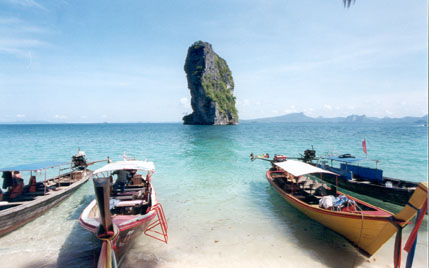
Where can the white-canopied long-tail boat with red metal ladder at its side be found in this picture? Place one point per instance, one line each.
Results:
(122, 211)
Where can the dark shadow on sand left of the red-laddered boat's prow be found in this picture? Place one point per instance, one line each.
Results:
(81, 248)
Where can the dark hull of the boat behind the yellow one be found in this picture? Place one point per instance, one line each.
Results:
(398, 196)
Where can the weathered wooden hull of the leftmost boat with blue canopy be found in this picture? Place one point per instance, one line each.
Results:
(15, 217)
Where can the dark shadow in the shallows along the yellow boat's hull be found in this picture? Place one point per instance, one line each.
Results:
(328, 247)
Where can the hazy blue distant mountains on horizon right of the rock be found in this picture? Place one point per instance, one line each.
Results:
(302, 118)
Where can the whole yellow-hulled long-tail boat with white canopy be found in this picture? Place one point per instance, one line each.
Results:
(367, 227)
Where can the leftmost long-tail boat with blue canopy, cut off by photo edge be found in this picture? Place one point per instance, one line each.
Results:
(24, 202)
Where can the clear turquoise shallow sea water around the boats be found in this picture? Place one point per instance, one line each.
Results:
(219, 206)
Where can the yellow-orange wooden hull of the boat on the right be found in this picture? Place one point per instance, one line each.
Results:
(365, 231)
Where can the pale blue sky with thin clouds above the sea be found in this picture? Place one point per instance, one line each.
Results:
(122, 61)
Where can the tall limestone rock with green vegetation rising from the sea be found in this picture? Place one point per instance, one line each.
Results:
(211, 85)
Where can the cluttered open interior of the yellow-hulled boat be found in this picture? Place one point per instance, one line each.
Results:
(309, 190)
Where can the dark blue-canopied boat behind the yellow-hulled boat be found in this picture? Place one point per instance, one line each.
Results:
(365, 180)
